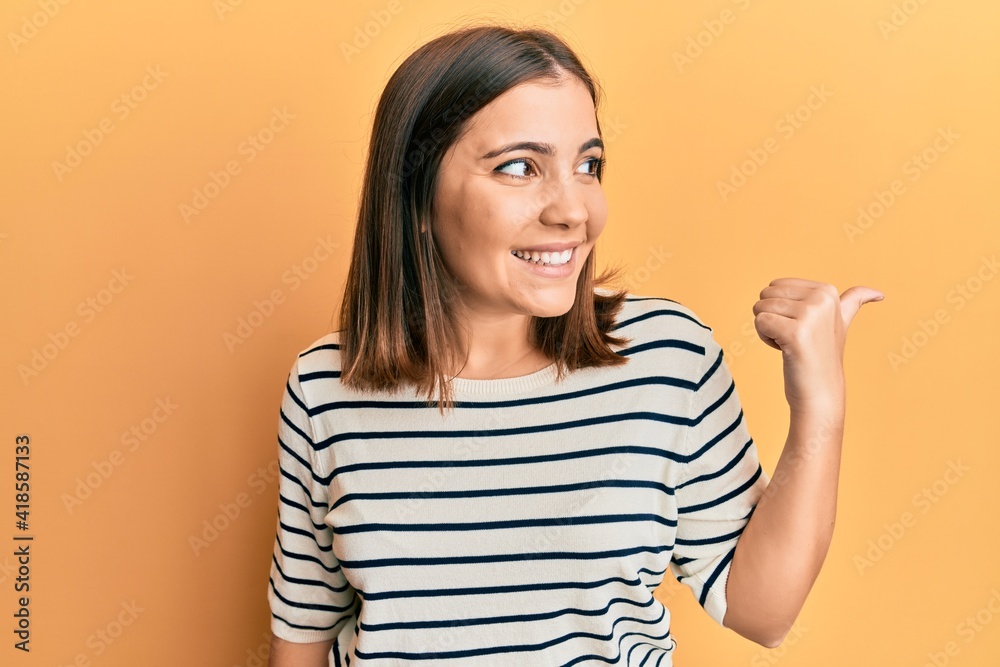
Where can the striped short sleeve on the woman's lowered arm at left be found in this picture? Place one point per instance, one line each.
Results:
(309, 597)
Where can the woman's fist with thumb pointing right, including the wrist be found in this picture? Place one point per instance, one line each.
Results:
(808, 322)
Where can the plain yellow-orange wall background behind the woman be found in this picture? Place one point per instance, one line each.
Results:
(894, 74)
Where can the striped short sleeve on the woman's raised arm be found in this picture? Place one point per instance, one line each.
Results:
(718, 486)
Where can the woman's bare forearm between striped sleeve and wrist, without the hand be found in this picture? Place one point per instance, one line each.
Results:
(783, 546)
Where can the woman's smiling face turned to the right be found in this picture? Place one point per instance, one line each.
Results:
(523, 176)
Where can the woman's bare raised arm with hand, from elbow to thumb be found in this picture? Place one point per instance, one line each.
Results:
(782, 548)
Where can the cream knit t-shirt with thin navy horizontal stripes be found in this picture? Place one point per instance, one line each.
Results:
(528, 527)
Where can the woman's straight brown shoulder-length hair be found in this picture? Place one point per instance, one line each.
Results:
(396, 323)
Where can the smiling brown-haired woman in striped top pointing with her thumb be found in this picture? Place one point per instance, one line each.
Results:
(592, 438)
